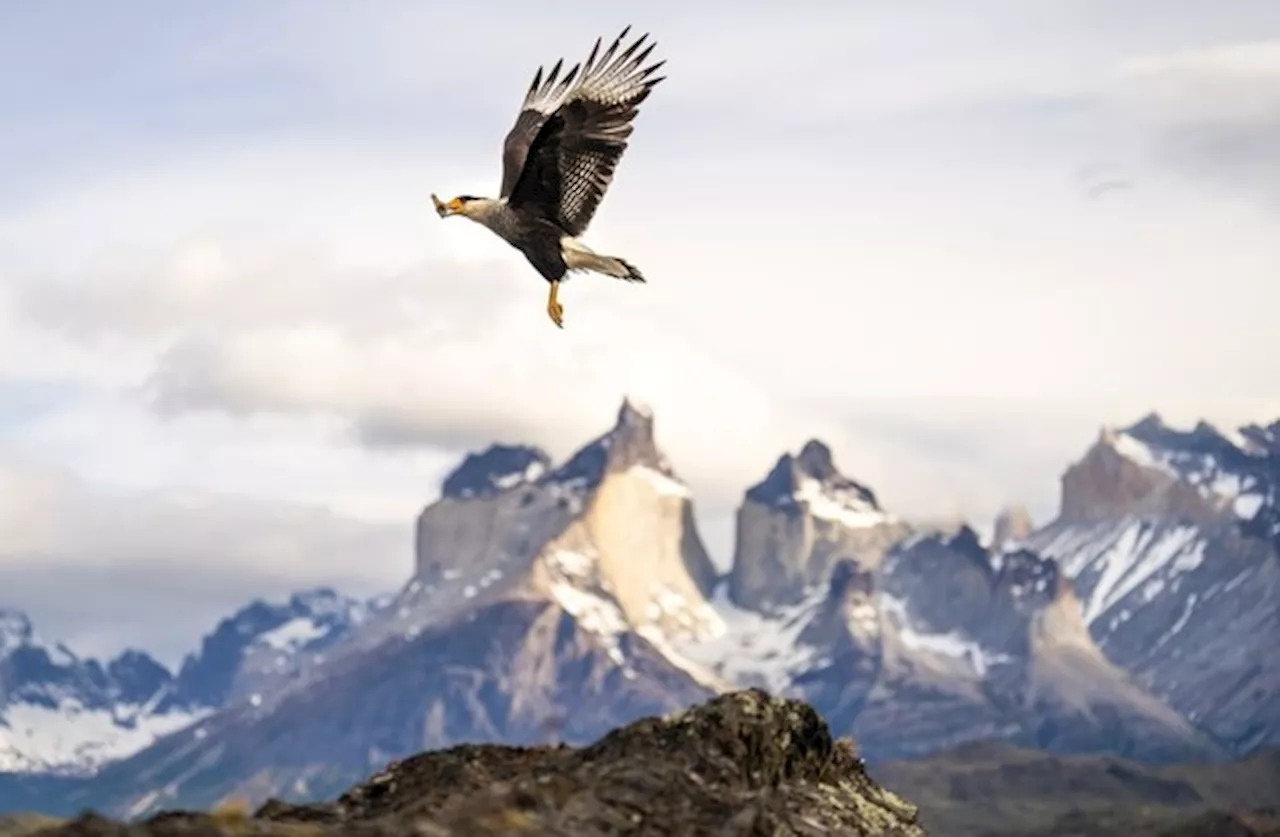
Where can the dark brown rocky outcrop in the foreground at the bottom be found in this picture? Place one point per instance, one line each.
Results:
(743, 763)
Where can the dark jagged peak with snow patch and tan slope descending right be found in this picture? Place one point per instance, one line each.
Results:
(1003, 641)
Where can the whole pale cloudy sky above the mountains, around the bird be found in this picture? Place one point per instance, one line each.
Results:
(239, 351)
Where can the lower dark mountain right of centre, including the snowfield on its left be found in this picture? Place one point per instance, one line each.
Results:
(943, 643)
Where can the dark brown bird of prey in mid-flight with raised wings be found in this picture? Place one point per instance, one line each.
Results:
(559, 161)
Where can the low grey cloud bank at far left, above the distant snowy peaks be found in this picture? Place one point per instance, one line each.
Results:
(158, 569)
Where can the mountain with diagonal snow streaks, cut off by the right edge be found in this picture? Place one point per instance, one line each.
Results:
(1173, 543)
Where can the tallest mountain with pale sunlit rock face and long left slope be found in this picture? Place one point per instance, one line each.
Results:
(538, 609)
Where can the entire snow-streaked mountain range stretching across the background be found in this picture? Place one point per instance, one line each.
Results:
(560, 601)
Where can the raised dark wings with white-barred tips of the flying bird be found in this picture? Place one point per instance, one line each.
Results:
(572, 132)
